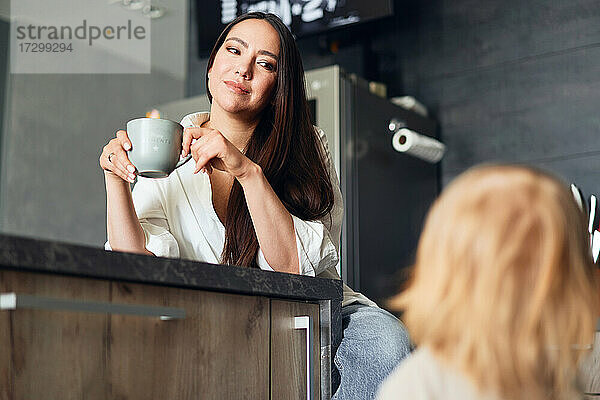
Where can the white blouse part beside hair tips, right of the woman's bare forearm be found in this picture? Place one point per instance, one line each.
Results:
(318, 242)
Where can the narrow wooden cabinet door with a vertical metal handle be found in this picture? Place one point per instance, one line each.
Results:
(288, 350)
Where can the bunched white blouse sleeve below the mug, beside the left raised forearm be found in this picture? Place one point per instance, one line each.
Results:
(150, 212)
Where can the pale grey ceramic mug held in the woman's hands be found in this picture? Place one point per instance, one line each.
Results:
(155, 146)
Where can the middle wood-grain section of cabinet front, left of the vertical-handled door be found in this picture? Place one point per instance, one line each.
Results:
(220, 350)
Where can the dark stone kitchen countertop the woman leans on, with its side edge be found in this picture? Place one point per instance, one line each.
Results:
(46, 257)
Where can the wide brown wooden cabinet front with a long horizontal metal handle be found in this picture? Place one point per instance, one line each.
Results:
(219, 351)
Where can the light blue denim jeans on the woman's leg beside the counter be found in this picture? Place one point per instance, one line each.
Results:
(374, 342)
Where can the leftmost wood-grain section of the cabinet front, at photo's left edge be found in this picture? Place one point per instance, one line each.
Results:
(53, 354)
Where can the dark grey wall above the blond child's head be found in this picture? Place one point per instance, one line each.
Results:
(508, 80)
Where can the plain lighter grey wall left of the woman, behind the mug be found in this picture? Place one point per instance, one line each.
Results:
(51, 185)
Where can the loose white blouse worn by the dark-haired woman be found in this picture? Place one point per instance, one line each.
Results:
(179, 221)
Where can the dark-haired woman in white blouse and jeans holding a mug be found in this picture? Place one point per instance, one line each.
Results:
(269, 197)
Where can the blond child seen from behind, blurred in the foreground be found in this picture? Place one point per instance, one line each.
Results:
(503, 300)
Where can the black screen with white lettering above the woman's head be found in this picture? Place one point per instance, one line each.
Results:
(303, 17)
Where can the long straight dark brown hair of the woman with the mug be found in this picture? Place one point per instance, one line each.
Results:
(285, 145)
